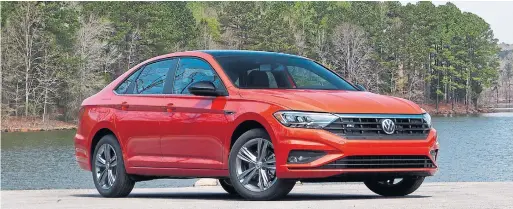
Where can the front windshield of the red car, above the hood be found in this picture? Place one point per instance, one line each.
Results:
(280, 72)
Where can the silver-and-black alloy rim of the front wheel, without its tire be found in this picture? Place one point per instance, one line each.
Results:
(256, 165)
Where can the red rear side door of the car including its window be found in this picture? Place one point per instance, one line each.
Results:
(143, 109)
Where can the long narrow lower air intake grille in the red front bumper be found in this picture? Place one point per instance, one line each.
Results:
(394, 161)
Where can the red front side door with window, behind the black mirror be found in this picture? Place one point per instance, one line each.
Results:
(194, 135)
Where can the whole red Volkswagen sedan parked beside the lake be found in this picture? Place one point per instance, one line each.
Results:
(257, 121)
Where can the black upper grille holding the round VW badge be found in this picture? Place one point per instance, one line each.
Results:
(369, 127)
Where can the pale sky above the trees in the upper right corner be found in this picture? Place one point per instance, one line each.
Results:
(499, 14)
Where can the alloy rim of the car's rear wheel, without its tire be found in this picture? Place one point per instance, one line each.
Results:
(105, 164)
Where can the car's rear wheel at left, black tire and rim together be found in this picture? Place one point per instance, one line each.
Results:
(121, 184)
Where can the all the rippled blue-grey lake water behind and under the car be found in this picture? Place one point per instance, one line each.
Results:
(473, 148)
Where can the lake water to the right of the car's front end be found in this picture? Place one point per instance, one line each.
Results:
(475, 148)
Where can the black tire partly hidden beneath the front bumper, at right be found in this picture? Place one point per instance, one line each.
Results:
(405, 187)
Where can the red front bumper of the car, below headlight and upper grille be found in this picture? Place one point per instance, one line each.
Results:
(337, 147)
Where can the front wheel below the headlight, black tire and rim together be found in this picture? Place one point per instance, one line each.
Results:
(276, 188)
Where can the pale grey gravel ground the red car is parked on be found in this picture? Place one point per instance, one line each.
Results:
(430, 195)
